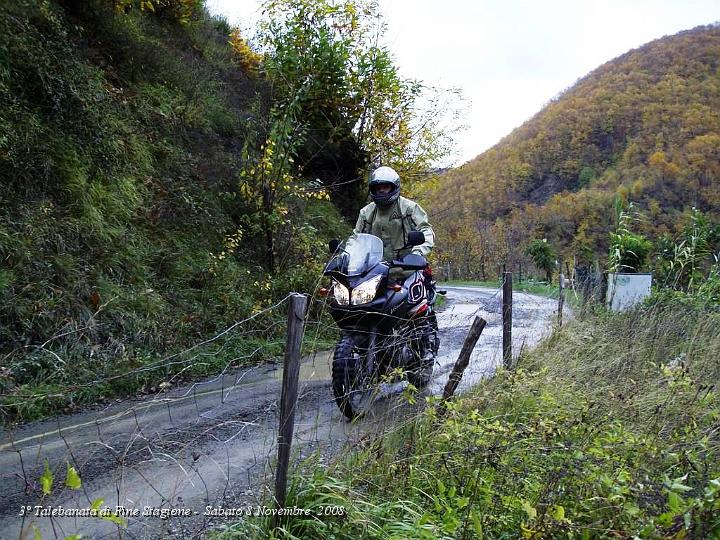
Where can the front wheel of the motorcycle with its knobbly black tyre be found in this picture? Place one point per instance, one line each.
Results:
(354, 385)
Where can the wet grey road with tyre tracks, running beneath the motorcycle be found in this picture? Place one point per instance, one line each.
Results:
(212, 443)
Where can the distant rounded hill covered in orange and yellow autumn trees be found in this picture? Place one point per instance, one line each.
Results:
(644, 126)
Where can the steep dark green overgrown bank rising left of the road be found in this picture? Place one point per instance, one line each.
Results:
(123, 132)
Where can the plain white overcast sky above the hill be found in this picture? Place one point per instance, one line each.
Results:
(510, 57)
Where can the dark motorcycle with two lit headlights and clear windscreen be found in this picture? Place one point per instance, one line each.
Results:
(383, 321)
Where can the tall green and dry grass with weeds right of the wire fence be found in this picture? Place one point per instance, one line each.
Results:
(611, 428)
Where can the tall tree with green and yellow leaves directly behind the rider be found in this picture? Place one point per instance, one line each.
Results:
(335, 104)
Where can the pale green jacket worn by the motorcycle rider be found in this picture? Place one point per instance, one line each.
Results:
(393, 224)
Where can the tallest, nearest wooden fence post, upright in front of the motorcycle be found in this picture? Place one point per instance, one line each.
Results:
(288, 399)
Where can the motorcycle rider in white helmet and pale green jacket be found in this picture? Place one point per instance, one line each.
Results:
(391, 217)
